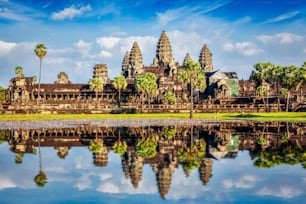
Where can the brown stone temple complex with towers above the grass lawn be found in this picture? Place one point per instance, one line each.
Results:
(224, 91)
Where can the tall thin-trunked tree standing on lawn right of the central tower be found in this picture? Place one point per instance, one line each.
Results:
(194, 76)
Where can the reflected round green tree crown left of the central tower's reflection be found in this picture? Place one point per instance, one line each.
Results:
(146, 147)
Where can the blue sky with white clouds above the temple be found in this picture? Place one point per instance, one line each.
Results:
(79, 34)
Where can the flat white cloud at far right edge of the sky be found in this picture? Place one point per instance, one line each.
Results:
(281, 38)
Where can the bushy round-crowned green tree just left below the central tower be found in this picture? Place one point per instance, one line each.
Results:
(146, 85)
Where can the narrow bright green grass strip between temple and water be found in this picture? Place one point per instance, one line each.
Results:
(281, 116)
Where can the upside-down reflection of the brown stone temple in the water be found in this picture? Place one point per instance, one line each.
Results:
(222, 140)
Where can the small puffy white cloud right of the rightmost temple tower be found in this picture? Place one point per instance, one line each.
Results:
(245, 48)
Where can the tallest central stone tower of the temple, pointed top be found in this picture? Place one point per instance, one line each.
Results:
(163, 52)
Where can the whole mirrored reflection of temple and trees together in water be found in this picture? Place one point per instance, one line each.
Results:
(166, 148)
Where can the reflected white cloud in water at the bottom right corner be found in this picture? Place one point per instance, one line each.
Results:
(280, 191)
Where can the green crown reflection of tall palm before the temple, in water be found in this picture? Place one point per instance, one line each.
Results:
(191, 157)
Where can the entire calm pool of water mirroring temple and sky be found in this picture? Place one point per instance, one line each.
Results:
(152, 161)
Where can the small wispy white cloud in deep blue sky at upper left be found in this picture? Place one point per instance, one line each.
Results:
(70, 13)
